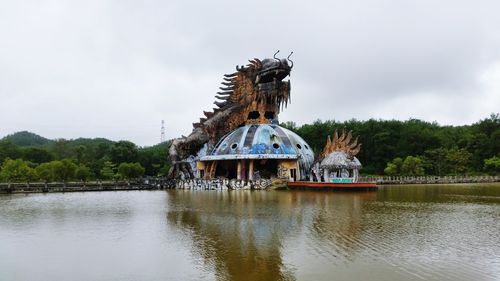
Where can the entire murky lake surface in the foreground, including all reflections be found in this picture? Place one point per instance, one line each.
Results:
(427, 232)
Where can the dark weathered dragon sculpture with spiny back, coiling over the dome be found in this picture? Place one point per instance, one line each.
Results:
(254, 94)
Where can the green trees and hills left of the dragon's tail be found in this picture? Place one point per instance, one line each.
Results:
(25, 156)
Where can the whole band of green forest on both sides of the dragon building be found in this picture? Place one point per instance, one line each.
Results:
(390, 147)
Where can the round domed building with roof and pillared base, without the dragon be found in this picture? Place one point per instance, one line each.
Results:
(263, 150)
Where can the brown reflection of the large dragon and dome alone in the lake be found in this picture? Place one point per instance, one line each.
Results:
(238, 233)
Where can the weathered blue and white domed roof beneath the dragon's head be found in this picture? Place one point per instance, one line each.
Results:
(262, 141)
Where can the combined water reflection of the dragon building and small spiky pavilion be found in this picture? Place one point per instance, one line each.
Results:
(241, 234)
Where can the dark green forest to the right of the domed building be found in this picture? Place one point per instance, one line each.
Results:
(416, 147)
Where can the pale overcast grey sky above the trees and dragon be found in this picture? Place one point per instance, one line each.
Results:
(115, 69)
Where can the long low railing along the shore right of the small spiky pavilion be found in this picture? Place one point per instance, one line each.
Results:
(429, 179)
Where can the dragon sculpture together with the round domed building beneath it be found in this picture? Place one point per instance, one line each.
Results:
(242, 126)
